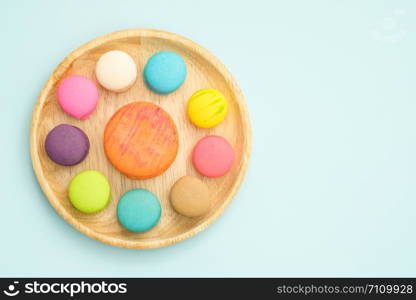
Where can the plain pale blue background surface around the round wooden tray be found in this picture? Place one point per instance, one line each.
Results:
(331, 90)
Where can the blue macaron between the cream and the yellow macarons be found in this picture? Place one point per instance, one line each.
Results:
(165, 72)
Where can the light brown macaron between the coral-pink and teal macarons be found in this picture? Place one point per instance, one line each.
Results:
(190, 197)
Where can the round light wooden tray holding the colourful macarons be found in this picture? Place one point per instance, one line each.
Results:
(204, 71)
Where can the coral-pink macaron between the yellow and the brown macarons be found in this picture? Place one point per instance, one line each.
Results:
(213, 156)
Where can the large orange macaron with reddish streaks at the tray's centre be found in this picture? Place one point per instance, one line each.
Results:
(141, 140)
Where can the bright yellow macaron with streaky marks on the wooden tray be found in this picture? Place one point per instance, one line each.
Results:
(207, 108)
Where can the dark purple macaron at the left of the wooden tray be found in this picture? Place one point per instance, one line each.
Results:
(67, 145)
